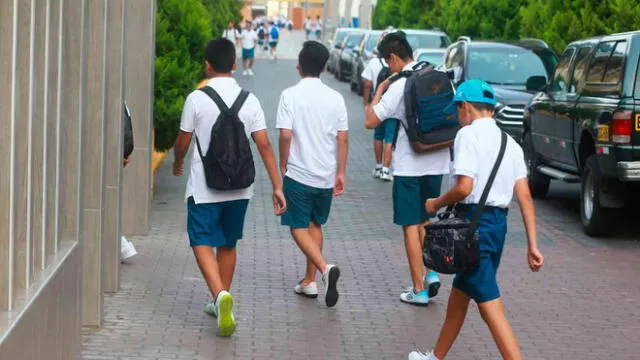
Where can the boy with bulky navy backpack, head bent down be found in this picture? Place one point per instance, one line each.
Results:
(417, 176)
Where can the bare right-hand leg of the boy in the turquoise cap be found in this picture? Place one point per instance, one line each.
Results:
(493, 314)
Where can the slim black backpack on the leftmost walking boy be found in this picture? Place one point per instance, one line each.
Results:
(228, 164)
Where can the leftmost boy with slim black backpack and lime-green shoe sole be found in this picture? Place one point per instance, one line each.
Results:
(222, 117)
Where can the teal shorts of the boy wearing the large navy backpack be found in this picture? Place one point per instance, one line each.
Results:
(409, 196)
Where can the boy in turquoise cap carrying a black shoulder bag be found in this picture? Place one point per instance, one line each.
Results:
(476, 147)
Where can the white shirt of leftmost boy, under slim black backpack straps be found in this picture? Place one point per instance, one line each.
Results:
(198, 116)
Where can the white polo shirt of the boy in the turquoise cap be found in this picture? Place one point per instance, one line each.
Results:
(475, 152)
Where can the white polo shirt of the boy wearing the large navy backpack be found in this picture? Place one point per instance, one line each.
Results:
(405, 161)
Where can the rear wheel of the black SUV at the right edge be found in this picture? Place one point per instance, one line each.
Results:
(595, 220)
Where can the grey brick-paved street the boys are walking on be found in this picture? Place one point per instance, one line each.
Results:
(582, 305)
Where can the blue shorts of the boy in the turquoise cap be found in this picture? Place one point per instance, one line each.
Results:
(481, 285)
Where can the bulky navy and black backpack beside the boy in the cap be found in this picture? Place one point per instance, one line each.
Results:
(431, 118)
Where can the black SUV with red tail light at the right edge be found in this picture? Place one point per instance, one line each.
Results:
(585, 126)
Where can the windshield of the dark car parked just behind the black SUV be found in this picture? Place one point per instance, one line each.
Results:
(504, 66)
